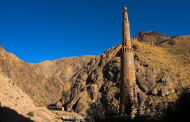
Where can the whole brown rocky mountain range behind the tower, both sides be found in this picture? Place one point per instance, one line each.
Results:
(75, 82)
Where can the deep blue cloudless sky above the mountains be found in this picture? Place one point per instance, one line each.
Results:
(38, 30)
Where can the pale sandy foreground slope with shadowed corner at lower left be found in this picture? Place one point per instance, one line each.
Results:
(15, 105)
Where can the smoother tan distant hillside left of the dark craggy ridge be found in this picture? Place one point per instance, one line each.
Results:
(43, 82)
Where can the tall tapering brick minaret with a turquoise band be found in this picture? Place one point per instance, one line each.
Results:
(128, 96)
